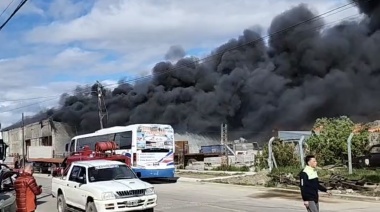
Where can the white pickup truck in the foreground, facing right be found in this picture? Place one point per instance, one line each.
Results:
(102, 186)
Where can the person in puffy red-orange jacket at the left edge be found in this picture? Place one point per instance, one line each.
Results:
(27, 190)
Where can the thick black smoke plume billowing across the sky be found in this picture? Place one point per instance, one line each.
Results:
(298, 76)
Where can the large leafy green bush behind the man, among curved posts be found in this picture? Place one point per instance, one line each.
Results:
(330, 143)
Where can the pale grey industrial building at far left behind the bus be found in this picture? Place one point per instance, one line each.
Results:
(46, 133)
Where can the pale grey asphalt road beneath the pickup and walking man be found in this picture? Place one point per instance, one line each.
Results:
(191, 196)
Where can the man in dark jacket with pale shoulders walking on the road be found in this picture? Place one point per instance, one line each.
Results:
(309, 184)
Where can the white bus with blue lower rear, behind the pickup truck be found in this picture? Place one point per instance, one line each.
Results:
(149, 146)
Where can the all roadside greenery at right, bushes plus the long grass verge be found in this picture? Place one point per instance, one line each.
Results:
(328, 143)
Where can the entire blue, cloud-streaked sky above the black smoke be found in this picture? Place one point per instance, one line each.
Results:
(49, 47)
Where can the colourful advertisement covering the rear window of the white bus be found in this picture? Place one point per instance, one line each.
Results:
(155, 136)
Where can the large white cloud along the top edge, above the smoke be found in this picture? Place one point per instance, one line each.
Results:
(134, 25)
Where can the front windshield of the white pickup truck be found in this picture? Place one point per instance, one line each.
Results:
(110, 172)
